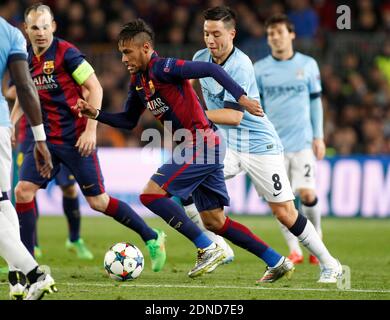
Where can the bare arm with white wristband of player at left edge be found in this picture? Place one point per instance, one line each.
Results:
(29, 101)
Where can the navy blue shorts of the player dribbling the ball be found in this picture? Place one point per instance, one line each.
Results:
(202, 179)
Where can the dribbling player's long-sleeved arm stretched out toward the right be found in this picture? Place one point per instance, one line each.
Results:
(184, 69)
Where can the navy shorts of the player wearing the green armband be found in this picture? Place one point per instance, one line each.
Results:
(85, 170)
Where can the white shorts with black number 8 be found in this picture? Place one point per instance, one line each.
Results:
(267, 173)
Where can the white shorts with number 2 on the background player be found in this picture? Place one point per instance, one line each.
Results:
(300, 167)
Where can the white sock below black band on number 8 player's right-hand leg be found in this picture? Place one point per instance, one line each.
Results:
(312, 241)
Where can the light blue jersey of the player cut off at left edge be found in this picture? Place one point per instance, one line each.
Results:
(12, 46)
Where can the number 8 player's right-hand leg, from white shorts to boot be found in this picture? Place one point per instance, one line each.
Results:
(277, 191)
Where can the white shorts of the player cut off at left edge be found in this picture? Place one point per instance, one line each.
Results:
(5, 159)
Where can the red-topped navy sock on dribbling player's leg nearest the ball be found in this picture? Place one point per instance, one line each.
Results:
(175, 216)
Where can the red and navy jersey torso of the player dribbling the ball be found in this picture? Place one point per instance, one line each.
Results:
(169, 97)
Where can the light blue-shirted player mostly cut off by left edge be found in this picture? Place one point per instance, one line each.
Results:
(22, 266)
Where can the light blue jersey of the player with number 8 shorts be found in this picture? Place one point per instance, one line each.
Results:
(254, 134)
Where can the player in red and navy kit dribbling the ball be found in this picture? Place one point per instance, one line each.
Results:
(161, 85)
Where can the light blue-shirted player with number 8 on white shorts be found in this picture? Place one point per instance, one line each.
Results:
(253, 144)
